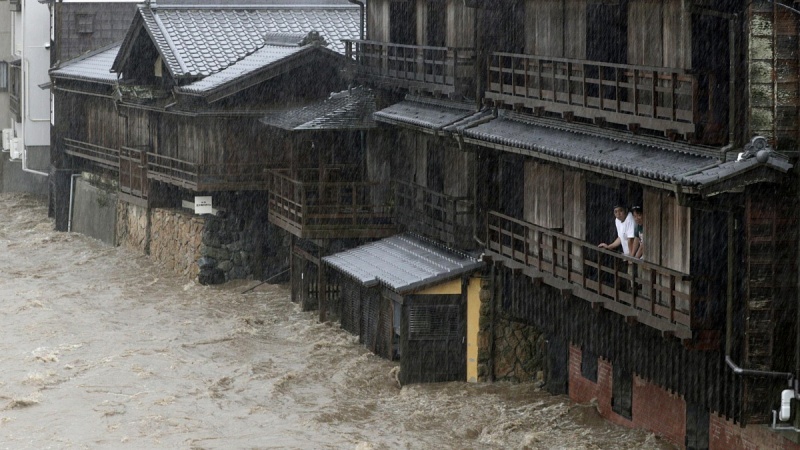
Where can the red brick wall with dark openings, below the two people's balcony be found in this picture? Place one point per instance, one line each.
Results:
(654, 409)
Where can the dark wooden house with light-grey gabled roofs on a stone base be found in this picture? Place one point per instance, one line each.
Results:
(171, 113)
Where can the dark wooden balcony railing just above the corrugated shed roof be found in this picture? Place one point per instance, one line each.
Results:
(444, 218)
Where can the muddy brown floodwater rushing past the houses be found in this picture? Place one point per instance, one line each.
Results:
(103, 348)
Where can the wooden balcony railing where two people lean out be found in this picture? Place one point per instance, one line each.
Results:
(643, 292)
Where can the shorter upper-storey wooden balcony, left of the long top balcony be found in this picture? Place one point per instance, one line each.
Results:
(434, 70)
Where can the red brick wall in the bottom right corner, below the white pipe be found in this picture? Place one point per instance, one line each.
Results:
(726, 435)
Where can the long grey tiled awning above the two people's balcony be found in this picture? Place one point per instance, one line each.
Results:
(622, 157)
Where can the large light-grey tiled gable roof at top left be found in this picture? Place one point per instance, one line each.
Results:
(197, 41)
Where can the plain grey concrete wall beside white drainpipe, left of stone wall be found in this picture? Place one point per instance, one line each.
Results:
(94, 212)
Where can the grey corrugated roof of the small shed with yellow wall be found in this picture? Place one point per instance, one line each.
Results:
(403, 263)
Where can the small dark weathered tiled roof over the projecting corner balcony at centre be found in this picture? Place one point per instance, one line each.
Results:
(343, 110)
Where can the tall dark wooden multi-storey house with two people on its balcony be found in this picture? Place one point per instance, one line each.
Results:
(689, 111)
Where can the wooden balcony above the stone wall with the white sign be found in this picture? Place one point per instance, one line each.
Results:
(207, 177)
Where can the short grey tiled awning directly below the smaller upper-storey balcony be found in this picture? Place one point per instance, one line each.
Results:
(429, 115)
